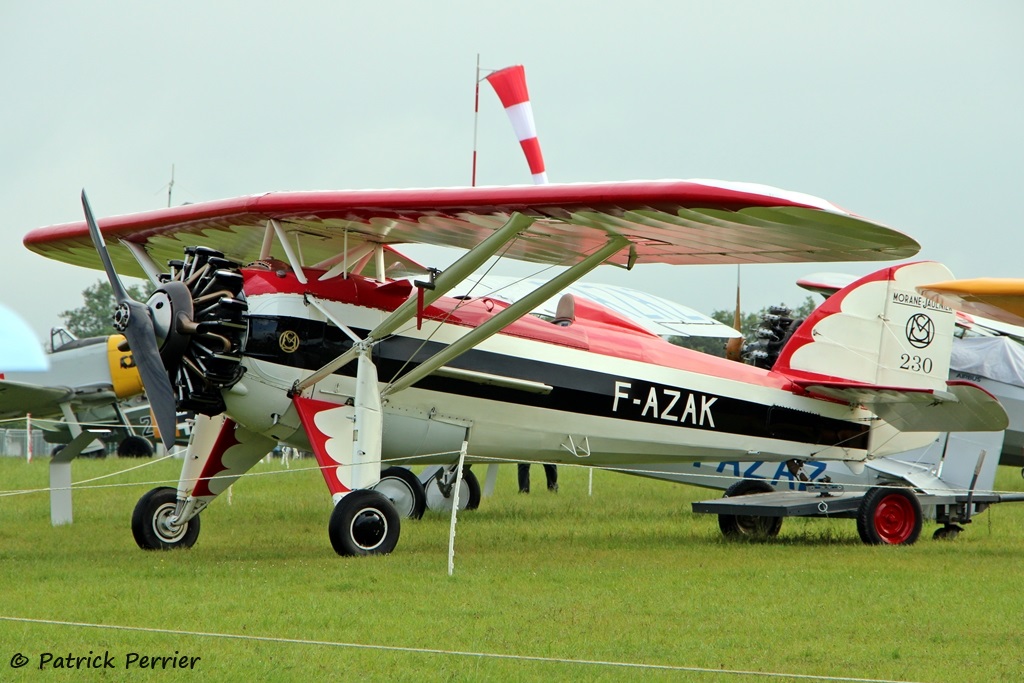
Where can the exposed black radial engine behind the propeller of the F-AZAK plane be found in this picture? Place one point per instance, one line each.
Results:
(205, 357)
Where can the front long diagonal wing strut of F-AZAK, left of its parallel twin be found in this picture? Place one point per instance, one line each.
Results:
(451, 278)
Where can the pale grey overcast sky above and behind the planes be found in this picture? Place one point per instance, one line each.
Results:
(907, 113)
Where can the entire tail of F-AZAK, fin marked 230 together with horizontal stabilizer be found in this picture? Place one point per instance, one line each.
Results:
(880, 345)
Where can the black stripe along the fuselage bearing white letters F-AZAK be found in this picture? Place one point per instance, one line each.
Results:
(574, 390)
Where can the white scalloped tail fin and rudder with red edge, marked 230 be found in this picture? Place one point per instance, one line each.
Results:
(877, 331)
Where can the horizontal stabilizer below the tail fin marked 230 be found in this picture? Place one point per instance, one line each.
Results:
(963, 407)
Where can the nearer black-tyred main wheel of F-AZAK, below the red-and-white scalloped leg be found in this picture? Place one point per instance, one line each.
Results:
(364, 523)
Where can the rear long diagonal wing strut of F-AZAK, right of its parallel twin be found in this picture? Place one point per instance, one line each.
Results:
(508, 316)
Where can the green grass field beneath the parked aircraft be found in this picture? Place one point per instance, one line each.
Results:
(562, 587)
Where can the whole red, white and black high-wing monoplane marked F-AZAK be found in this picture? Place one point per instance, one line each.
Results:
(290, 319)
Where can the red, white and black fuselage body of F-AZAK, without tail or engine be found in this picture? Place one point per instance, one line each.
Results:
(602, 391)
